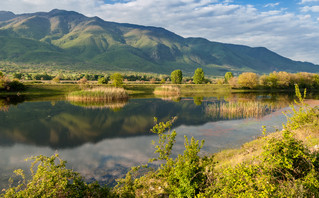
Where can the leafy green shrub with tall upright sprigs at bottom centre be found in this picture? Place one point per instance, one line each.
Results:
(184, 176)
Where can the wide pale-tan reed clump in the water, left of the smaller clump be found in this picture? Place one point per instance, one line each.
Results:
(99, 94)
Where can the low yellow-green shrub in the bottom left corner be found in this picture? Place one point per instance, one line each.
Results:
(52, 179)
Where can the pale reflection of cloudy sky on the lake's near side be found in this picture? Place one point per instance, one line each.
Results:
(110, 158)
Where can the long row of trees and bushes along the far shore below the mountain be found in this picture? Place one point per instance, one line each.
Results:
(246, 80)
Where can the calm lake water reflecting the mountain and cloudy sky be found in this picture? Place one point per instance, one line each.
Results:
(102, 142)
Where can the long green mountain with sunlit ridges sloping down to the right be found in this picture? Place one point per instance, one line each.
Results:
(71, 40)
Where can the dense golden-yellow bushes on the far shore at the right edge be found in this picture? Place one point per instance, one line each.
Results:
(275, 80)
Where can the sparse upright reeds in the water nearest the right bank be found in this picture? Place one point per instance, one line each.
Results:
(236, 110)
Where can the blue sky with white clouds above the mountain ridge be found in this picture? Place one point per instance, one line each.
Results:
(288, 27)
